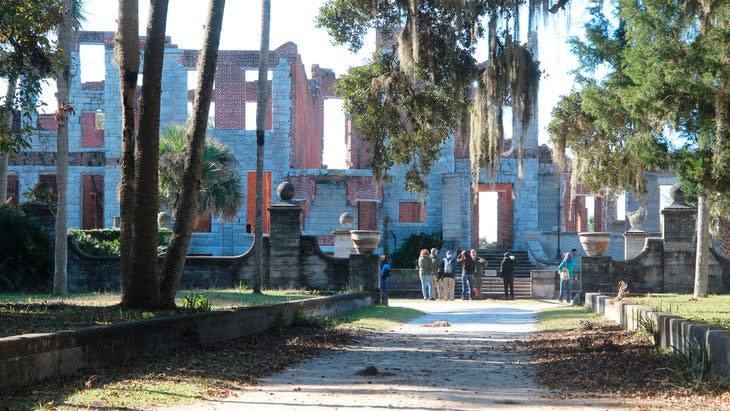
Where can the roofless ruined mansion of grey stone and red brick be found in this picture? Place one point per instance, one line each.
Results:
(532, 214)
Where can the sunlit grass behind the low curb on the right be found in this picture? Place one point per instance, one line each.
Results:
(714, 309)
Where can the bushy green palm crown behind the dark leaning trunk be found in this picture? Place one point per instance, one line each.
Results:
(220, 185)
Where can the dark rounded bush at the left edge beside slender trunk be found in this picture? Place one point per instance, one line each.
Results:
(26, 253)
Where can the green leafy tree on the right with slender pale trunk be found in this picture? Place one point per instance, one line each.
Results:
(668, 64)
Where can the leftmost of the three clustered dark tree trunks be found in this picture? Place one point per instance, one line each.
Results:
(127, 59)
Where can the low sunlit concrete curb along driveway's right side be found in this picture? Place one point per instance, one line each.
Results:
(670, 331)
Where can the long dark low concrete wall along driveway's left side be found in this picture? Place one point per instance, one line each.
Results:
(29, 358)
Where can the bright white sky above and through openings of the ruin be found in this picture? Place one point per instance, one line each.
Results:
(293, 20)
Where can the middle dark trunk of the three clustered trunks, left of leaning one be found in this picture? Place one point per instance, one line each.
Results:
(143, 289)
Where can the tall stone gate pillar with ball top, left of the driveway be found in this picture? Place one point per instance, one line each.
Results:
(285, 240)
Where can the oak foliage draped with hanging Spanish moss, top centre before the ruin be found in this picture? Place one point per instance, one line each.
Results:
(411, 96)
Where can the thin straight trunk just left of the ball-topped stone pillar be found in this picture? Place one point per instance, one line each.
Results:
(261, 104)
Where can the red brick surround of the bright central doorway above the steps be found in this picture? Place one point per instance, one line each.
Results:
(505, 212)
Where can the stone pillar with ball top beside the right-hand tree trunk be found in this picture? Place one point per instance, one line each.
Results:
(679, 229)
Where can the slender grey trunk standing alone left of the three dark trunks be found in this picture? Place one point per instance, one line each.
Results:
(63, 77)
